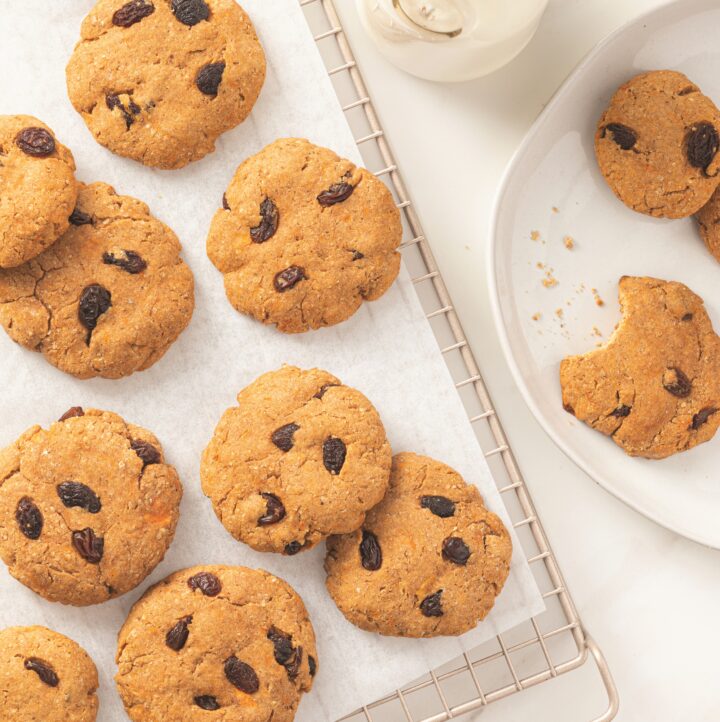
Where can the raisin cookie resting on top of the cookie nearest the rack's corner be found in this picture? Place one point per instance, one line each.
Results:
(300, 458)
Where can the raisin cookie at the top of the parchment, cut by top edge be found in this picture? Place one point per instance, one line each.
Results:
(160, 80)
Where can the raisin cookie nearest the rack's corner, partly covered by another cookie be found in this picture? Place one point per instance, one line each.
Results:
(429, 559)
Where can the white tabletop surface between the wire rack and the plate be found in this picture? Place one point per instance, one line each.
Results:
(649, 597)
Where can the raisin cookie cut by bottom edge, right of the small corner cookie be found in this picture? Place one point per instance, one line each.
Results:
(234, 641)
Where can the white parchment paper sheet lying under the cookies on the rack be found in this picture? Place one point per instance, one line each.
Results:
(386, 350)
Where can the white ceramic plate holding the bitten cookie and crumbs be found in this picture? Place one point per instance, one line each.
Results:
(553, 187)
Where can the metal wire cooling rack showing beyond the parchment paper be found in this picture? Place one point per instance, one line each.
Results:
(554, 642)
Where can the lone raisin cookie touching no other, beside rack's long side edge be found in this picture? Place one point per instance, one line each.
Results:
(304, 237)
